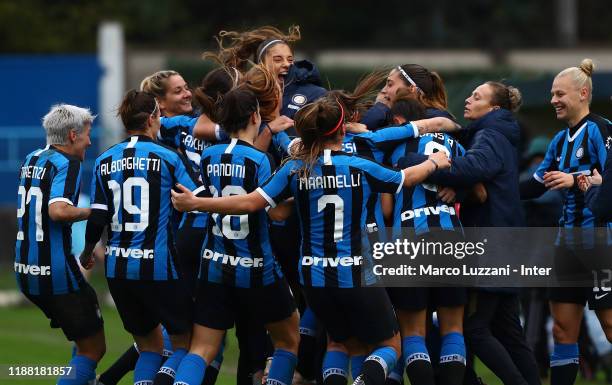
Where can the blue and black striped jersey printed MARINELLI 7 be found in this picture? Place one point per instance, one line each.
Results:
(331, 204)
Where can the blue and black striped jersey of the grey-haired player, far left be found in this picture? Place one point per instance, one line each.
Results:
(44, 264)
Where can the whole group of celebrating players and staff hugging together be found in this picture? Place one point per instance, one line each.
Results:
(252, 200)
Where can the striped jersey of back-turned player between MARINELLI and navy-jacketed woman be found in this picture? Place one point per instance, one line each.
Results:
(418, 206)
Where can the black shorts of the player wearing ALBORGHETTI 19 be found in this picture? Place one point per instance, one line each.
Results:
(142, 305)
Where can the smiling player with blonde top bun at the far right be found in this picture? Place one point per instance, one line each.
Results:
(575, 150)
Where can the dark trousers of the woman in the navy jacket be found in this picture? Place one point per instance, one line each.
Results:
(494, 334)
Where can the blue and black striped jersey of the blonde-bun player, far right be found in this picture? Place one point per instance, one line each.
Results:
(578, 150)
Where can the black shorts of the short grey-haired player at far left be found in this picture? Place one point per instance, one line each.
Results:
(77, 314)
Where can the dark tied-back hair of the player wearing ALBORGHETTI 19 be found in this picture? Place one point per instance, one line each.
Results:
(136, 108)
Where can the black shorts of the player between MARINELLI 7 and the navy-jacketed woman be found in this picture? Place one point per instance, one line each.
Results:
(420, 298)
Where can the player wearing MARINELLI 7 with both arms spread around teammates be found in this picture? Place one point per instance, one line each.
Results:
(330, 189)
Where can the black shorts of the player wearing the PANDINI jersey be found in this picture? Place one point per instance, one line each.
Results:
(217, 305)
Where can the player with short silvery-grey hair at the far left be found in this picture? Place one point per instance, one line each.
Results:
(46, 271)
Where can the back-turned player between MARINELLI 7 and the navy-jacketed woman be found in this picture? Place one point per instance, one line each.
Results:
(421, 209)
